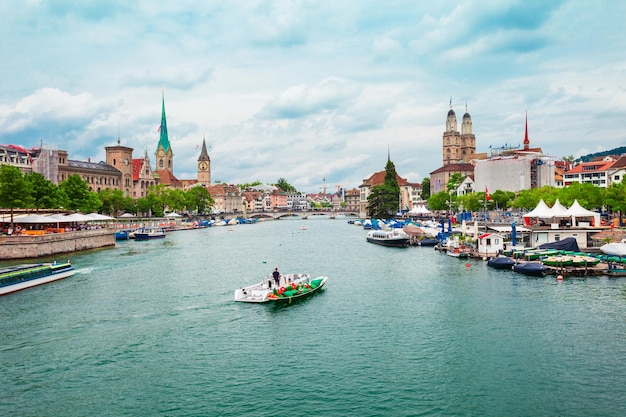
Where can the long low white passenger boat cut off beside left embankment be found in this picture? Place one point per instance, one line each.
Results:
(19, 277)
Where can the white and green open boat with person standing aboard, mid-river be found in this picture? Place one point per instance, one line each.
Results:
(291, 286)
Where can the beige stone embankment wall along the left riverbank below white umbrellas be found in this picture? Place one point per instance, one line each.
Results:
(23, 247)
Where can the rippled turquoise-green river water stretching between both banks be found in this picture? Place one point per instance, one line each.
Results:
(151, 329)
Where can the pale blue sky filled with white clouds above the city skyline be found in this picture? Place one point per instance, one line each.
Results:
(316, 92)
